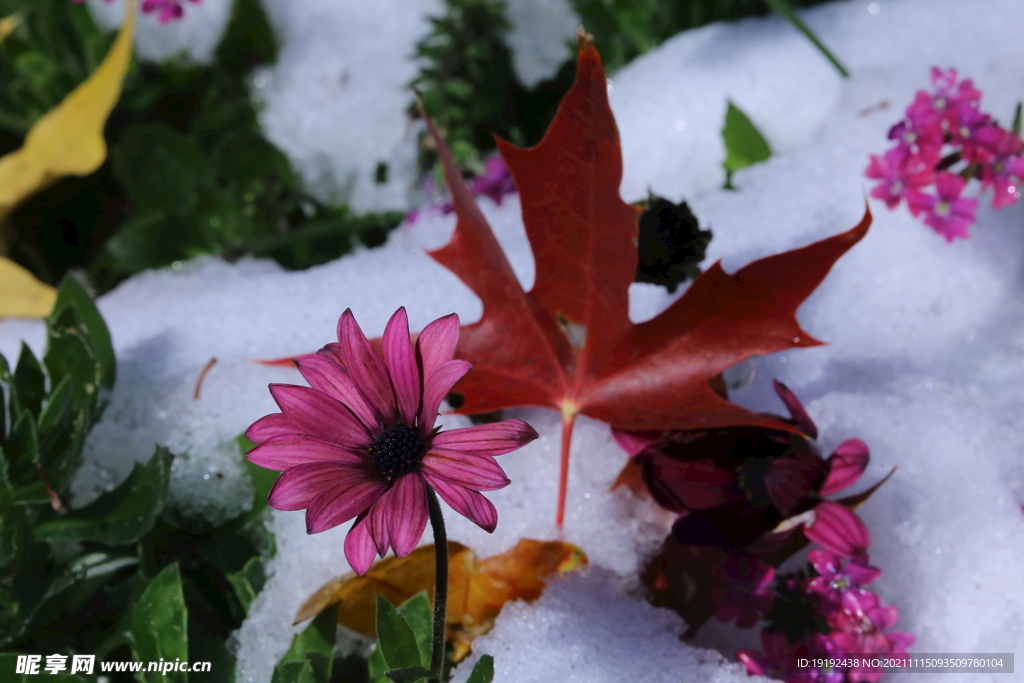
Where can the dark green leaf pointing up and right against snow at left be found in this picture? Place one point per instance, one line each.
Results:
(119, 517)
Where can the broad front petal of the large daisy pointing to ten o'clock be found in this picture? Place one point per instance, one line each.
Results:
(317, 414)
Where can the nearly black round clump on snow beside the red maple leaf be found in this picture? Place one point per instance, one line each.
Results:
(671, 244)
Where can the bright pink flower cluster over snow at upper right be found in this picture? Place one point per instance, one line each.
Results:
(947, 141)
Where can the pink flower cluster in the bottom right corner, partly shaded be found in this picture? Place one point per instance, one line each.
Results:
(847, 620)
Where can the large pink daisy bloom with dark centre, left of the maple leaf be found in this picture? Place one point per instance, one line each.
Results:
(361, 442)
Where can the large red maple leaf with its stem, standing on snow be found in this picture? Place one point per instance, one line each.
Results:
(569, 344)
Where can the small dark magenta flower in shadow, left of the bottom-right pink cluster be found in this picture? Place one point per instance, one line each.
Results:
(747, 595)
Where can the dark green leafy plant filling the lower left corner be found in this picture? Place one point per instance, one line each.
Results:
(123, 576)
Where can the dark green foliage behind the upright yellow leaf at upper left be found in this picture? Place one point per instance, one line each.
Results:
(189, 174)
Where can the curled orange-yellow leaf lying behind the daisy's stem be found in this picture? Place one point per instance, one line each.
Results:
(478, 590)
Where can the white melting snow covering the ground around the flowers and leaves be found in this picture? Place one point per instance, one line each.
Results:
(923, 362)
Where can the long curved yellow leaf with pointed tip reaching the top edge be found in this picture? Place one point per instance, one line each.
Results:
(69, 140)
